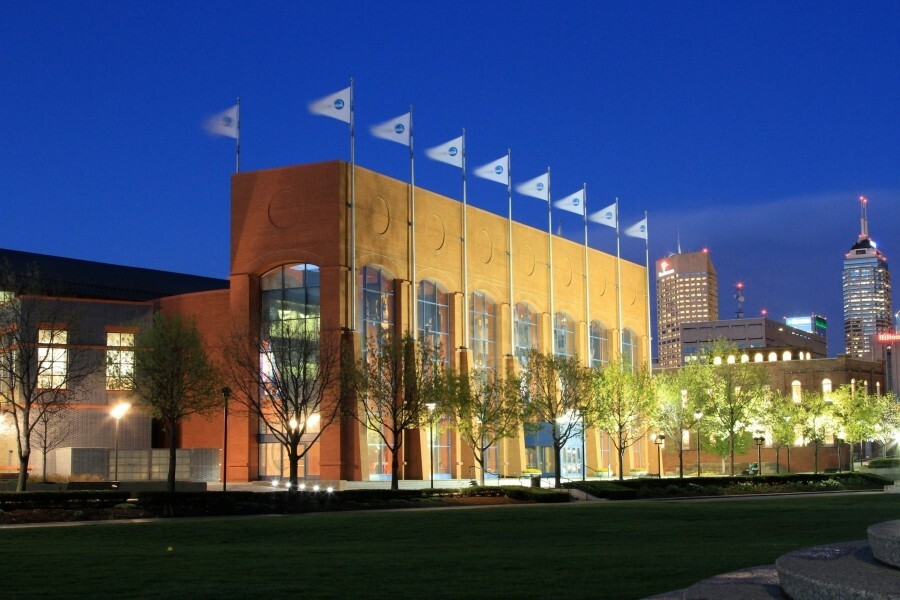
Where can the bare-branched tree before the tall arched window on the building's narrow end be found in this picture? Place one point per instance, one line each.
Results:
(284, 377)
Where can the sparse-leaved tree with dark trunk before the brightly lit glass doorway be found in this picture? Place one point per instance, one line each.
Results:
(557, 391)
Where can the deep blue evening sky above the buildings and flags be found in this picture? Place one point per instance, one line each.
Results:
(750, 127)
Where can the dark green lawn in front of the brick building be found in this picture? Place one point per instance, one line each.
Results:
(582, 550)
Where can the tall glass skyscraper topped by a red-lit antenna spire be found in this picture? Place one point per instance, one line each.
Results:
(867, 291)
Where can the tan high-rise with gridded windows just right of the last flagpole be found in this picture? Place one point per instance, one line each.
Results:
(686, 292)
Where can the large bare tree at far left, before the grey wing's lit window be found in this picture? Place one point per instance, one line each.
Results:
(41, 370)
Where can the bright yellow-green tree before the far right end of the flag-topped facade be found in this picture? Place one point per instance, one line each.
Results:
(624, 406)
